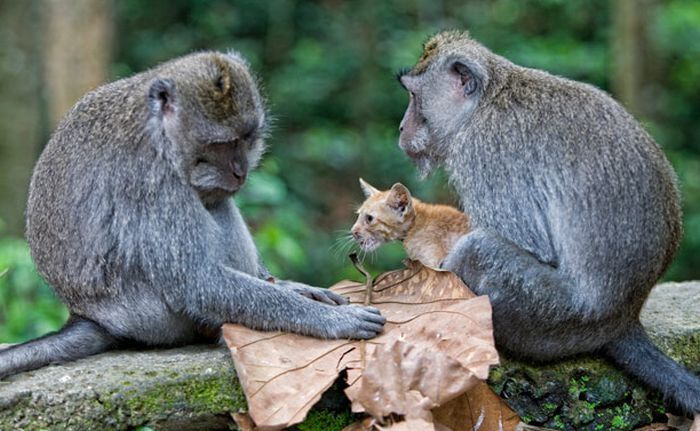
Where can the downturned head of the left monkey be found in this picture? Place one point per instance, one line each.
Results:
(207, 111)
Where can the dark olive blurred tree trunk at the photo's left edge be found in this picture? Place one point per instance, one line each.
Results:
(22, 125)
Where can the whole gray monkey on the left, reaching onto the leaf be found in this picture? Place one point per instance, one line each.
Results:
(130, 219)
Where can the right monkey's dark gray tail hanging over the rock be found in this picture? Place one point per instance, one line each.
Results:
(637, 354)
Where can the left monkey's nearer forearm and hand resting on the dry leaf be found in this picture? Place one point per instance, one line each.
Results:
(222, 295)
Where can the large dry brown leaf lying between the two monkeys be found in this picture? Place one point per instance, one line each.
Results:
(437, 330)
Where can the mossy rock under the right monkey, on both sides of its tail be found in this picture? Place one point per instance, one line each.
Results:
(591, 394)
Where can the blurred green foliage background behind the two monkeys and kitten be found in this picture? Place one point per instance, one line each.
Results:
(327, 69)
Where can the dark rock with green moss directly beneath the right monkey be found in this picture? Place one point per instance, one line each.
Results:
(581, 394)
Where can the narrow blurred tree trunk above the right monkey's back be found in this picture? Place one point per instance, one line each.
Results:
(631, 54)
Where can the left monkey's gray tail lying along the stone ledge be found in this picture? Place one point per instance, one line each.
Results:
(77, 339)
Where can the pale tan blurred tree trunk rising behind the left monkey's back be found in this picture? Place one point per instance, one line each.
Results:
(77, 51)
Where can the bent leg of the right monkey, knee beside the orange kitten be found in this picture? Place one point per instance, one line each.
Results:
(538, 311)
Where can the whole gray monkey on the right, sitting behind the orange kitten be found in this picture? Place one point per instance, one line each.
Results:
(575, 208)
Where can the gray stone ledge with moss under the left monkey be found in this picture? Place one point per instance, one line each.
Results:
(191, 388)
